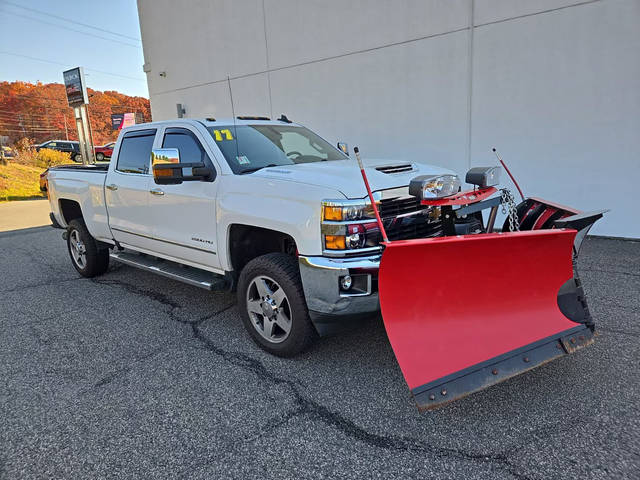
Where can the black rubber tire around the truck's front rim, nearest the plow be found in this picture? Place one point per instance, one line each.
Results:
(283, 269)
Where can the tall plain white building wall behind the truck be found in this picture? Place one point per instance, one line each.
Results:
(554, 84)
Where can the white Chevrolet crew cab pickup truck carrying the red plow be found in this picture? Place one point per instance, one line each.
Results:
(264, 207)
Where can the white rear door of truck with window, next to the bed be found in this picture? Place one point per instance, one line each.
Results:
(127, 190)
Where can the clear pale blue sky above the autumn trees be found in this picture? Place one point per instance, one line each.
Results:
(101, 36)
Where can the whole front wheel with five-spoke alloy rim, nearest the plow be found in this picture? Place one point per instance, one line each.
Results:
(272, 305)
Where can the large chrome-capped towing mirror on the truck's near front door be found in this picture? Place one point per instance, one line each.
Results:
(168, 170)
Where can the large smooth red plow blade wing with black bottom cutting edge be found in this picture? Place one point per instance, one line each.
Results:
(465, 312)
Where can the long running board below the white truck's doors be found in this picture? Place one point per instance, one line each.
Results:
(175, 271)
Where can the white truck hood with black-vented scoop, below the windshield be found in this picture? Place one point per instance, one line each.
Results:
(344, 175)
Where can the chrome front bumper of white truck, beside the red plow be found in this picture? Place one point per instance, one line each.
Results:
(326, 302)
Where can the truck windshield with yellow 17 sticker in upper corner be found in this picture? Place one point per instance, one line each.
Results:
(248, 148)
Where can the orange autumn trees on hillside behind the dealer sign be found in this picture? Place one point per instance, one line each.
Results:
(40, 112)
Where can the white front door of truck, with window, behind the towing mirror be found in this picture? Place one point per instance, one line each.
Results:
(184, 215)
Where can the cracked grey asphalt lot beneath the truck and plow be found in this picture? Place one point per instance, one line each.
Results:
(133, 375)
